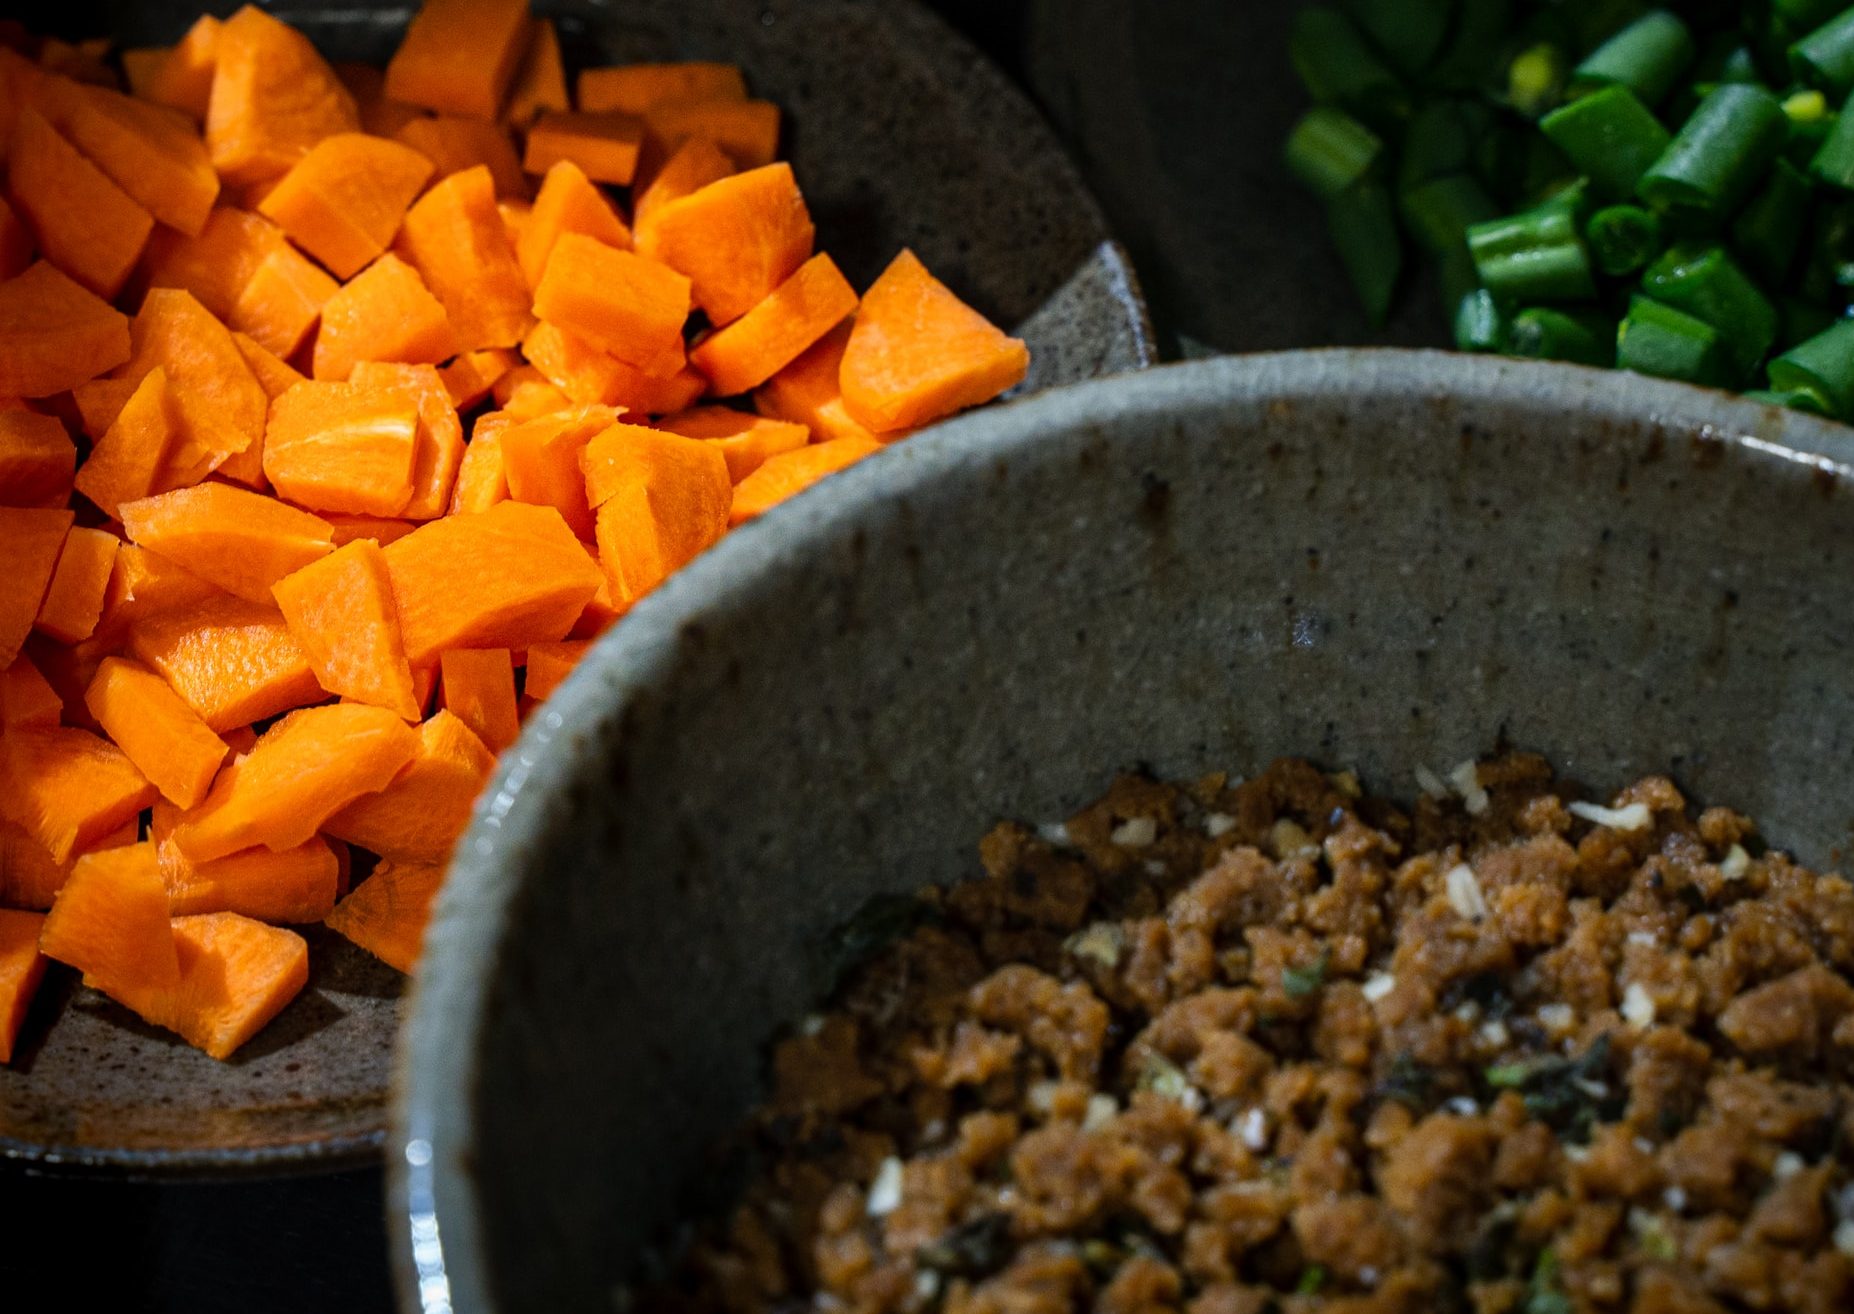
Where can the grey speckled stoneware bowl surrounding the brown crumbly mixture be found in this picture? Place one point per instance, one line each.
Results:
(1373, 559)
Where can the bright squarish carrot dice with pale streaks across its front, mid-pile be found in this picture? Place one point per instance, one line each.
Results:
(342, 448)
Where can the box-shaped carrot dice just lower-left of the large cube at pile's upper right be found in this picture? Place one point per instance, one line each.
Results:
(620, 303)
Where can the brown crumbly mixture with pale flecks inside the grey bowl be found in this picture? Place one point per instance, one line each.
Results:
(1269, 1046)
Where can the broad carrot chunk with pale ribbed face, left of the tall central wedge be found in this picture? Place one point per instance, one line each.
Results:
(231, 661)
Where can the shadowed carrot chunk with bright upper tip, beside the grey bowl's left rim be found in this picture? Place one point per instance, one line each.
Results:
(420, 816)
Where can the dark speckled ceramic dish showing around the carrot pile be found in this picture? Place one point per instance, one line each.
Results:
(900, 136)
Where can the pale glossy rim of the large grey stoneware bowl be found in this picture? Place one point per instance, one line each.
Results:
(433, 1217)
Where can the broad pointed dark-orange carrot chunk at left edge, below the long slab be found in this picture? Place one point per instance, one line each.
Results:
(55, 335)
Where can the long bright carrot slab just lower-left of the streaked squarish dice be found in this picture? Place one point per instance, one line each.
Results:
(238, 540)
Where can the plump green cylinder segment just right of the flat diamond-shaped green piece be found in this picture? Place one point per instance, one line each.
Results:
(1718, 157)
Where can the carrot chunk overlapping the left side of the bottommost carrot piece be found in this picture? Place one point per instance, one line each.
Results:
(110, 920)
